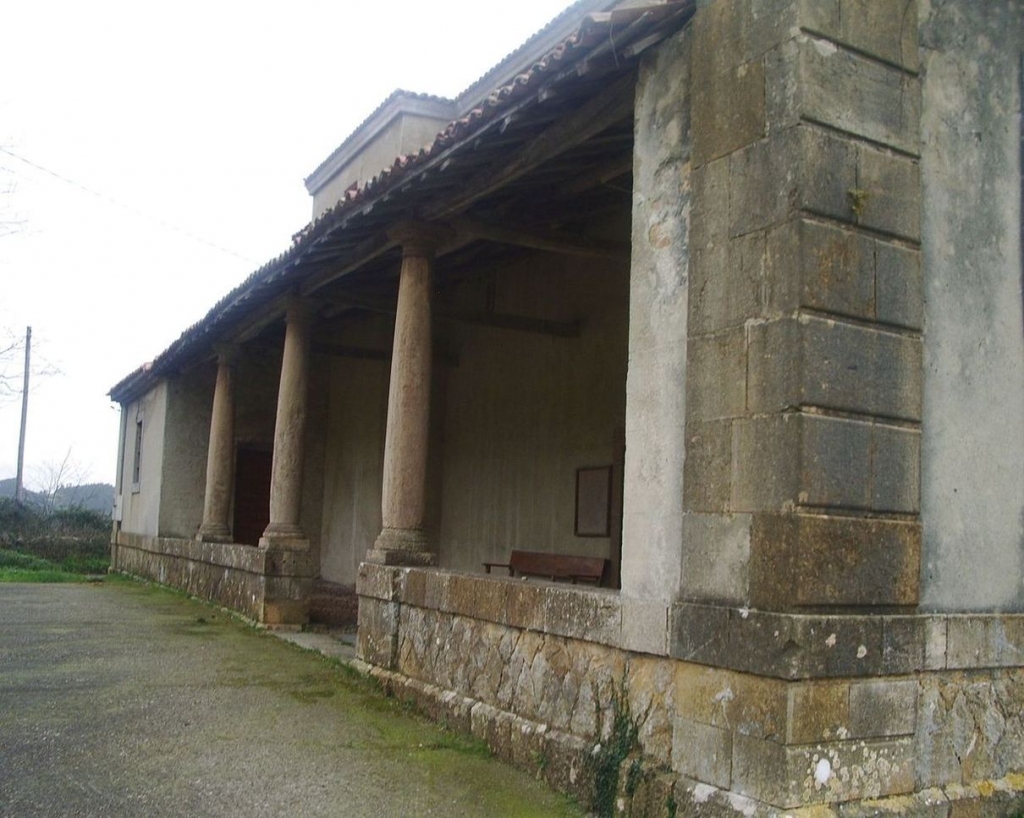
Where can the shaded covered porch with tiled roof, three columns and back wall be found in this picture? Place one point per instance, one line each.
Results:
(435, 375)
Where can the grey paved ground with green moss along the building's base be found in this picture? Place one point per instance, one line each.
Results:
(122, 700)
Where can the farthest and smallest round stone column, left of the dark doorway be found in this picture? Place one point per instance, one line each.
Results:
(221, 454)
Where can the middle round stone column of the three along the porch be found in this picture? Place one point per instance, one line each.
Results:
(289, 436)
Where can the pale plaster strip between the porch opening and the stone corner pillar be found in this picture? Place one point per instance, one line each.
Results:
(656, 414)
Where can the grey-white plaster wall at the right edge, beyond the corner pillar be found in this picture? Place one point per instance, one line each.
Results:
(973, 438)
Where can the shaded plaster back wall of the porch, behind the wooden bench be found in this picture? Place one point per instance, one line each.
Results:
(514, 416)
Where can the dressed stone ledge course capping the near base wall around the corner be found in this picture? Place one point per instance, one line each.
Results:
(786, 647)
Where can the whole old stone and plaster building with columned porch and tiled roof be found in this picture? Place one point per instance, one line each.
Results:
(726, 293)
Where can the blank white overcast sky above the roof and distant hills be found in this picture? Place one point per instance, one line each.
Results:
(193, 118)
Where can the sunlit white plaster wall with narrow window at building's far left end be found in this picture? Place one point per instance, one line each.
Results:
(141, 510)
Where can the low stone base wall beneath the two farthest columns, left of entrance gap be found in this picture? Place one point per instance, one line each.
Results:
(267, 586)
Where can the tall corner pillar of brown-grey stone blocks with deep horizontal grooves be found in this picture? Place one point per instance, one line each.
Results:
(804, 330)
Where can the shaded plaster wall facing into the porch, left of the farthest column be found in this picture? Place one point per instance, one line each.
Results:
(190, 403)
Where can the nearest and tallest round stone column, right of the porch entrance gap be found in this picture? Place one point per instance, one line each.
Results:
(403, 541)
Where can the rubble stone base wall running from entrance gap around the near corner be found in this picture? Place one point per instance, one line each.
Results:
(546, 676)
